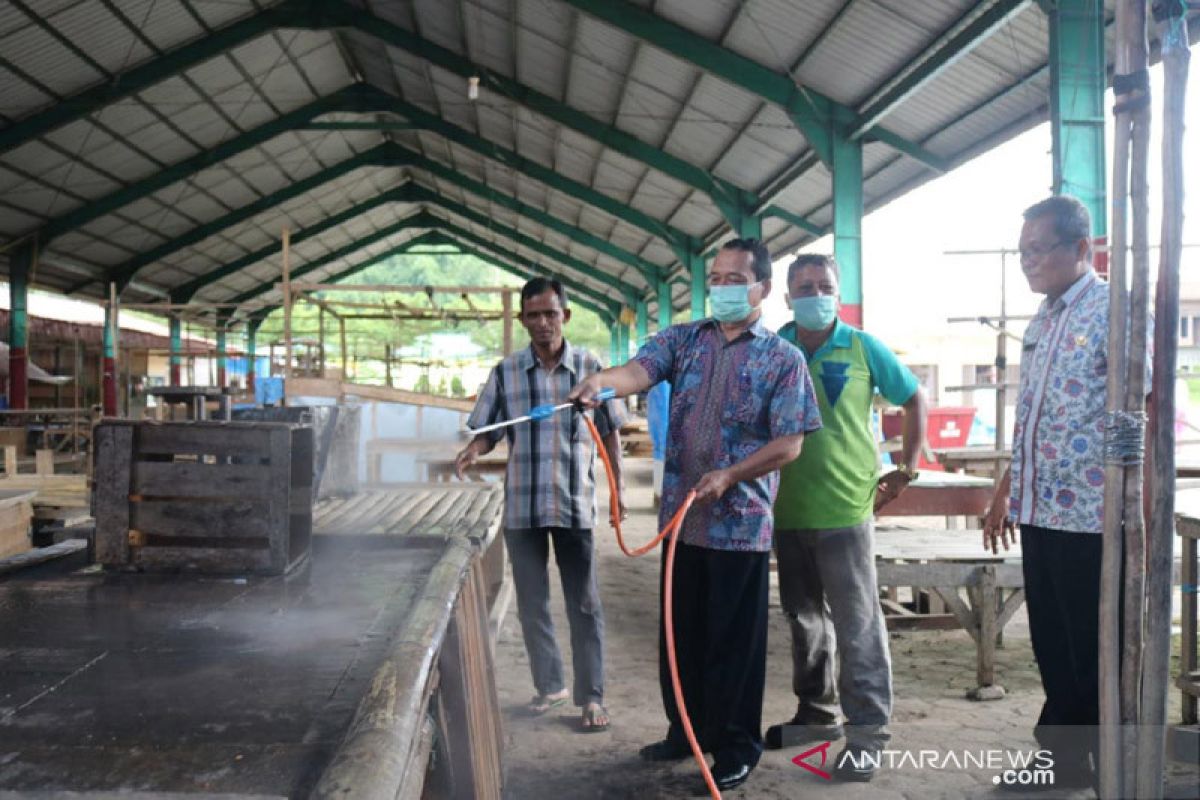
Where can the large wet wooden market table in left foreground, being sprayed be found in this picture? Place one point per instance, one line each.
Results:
(339, 679)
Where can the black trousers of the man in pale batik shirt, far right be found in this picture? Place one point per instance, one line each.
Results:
(1063, 593)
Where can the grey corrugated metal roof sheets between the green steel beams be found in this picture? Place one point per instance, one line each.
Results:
(621, 87)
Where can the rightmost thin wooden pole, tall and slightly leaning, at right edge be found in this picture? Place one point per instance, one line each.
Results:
(1156, 679)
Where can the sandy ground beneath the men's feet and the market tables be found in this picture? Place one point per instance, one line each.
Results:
(547, 759)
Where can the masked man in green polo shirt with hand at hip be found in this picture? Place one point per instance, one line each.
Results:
(824, 522)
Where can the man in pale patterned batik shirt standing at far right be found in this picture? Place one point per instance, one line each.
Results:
(1054, 489)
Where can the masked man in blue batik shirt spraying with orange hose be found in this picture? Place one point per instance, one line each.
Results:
(741, 405)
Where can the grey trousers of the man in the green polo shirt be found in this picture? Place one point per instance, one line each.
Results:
(827, 588)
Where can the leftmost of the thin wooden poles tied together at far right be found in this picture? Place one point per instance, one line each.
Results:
(1109, 757)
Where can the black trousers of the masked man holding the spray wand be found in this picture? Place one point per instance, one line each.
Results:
(721, 633)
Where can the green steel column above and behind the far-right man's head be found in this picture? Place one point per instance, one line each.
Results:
(1077, 105)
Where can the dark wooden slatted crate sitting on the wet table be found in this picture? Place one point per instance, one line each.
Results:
(209, 497)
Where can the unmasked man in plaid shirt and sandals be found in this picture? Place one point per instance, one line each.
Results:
(550, 497)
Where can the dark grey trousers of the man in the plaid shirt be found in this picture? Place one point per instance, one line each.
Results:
(530, 555)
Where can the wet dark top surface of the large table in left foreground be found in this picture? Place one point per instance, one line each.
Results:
(193, 684)
